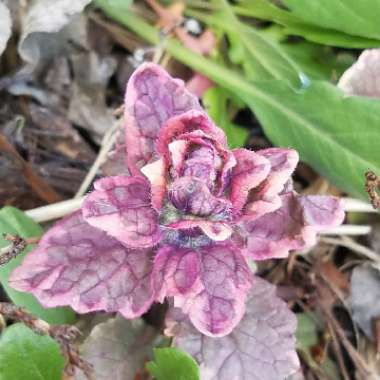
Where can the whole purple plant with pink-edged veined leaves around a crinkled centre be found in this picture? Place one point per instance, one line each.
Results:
(182, 225)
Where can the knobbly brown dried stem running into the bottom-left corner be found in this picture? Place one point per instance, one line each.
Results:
(64, 335)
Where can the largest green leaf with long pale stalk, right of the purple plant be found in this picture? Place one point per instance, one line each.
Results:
(336, 135)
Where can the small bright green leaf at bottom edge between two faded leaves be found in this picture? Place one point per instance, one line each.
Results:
(173, 364)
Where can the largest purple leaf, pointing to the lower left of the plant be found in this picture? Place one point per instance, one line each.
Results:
(78, 265)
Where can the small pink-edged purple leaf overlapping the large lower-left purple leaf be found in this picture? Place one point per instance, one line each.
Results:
(121, 206)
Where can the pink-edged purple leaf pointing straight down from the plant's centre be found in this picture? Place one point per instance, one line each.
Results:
(209, 284)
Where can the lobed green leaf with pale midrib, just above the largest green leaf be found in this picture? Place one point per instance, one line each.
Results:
(264, 54)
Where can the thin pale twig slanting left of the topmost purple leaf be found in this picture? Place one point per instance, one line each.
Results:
(108, 142)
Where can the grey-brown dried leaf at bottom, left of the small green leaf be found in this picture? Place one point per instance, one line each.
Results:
(118, 349)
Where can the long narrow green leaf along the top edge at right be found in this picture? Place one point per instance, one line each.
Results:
(294, 25)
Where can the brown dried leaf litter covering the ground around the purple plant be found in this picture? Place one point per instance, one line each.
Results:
(57, 102)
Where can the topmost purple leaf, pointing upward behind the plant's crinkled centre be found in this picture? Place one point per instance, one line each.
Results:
(152, 97)
